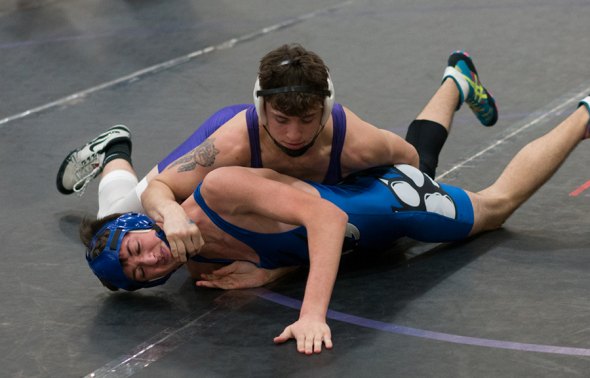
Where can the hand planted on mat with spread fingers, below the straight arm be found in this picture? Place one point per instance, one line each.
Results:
(309, 333)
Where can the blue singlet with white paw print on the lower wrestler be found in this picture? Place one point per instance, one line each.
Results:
(383, 204)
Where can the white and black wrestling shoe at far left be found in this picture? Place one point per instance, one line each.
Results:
(85, 163)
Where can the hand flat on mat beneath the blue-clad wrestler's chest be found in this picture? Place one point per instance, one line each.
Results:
(241, 275)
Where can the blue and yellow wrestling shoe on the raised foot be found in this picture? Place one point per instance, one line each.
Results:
(462, 70)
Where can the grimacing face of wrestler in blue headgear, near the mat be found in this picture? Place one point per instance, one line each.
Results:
(144, 257)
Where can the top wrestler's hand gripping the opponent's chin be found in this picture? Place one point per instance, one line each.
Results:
(183, 235)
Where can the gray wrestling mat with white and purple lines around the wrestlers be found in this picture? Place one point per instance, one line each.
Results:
(510, 303)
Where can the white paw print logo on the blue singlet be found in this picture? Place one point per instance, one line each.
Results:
(416, 191)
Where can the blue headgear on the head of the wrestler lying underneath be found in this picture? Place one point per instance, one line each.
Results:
(106, 265)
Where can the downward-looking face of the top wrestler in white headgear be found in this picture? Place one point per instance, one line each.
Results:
(291, 132)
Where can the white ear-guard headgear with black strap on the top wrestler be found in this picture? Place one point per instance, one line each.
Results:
(259, 94)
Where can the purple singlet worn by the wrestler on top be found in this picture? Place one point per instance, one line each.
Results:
(333, 175)
